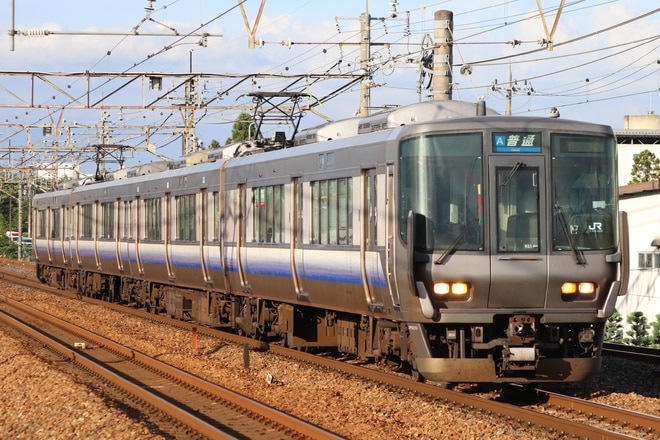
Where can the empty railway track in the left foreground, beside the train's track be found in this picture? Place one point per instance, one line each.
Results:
(199, 406)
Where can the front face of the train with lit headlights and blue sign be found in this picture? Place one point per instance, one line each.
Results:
(511, 247)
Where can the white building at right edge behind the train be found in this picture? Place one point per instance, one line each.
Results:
(642, 203)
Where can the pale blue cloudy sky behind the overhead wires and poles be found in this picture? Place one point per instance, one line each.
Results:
(600, 70)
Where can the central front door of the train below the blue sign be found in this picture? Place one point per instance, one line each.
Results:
(517, 210)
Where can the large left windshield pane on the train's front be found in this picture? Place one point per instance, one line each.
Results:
(441, 181)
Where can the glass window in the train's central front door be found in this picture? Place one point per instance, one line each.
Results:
(517, 208)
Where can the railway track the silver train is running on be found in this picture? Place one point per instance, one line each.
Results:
(560, 414)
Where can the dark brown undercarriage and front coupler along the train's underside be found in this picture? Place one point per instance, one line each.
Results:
(513, 348)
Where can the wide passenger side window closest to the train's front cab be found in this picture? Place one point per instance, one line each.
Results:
(332, 212)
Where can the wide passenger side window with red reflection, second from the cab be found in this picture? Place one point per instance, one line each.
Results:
(267, 215)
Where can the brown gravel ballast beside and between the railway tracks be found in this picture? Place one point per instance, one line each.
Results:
(37, 401)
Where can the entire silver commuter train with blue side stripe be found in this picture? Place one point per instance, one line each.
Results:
(469, 246)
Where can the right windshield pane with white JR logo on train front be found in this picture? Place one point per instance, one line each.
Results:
(584, 192)
